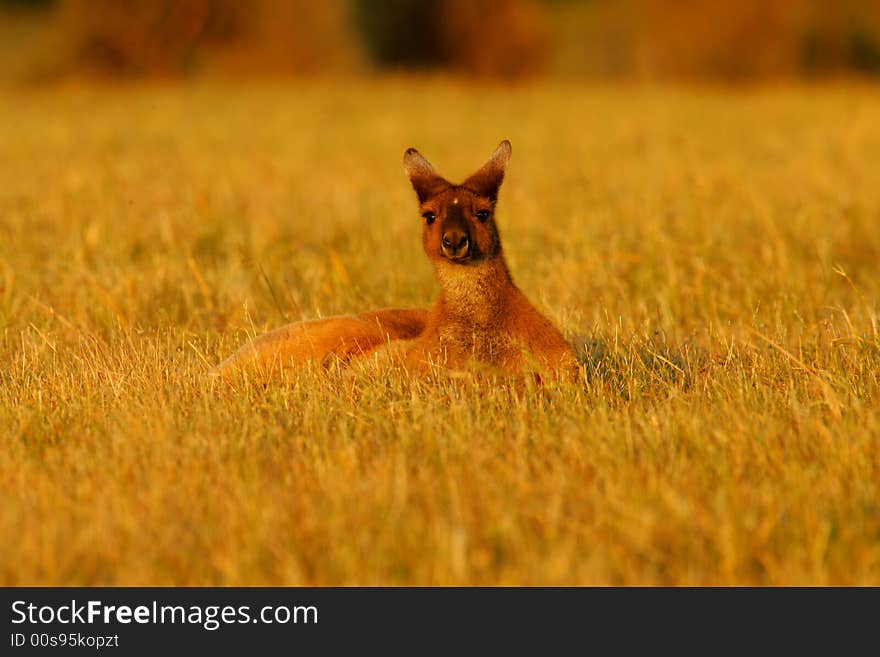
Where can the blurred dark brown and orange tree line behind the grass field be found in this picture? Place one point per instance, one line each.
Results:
(728, 39)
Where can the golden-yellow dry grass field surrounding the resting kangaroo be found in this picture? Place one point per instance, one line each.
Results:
(715, 254)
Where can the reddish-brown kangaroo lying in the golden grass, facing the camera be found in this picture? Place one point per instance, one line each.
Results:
(481, 319)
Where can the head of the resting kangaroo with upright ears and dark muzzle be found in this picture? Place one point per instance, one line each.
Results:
(459, 221)
